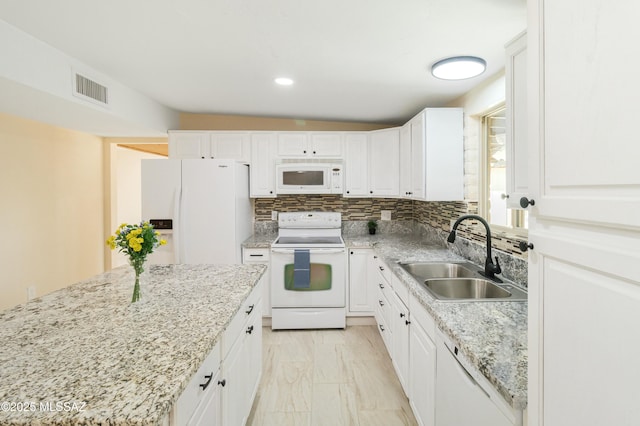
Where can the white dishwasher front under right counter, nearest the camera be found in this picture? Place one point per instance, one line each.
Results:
(463, 396)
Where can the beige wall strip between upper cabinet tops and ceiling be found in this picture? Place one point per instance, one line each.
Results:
(190, 121)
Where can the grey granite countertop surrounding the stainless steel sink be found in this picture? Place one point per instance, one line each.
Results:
(491, 335)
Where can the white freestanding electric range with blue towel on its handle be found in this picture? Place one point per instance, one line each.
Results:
(308, 272)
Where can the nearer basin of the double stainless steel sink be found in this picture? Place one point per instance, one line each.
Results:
(466, 288)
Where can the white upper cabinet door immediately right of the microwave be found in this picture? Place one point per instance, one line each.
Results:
(356, 165)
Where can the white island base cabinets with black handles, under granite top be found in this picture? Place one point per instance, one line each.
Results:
(223, 389)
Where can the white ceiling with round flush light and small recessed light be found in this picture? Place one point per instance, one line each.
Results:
(352, 60)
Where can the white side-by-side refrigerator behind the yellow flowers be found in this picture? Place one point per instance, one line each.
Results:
(203, 206)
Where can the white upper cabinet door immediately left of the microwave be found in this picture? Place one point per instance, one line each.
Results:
(263, 173)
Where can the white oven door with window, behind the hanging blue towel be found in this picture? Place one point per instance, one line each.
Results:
(327, 283)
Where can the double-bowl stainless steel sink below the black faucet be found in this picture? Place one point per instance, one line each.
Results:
(461, 281)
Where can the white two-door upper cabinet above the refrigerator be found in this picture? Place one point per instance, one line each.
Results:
(218, 145)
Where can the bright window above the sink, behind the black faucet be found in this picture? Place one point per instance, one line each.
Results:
(493, 190)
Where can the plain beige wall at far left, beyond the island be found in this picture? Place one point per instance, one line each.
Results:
(51, 198)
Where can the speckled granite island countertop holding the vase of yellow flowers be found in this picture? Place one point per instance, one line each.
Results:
(85, 355)
